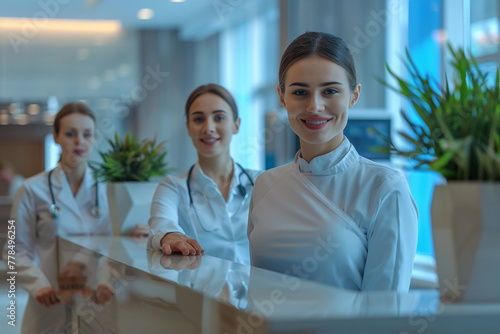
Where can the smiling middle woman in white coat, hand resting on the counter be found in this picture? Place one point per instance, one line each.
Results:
(206, 208)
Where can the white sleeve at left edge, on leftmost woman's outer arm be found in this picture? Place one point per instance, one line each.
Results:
(24, 212)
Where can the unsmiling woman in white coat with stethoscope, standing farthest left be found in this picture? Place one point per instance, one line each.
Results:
(64, 201)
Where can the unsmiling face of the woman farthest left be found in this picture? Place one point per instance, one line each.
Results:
(76, 137)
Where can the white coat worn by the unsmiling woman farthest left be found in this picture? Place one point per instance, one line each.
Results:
(36, 244)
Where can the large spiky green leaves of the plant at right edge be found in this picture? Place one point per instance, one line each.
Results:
(456, 129)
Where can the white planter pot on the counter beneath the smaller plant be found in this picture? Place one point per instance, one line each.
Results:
(129, 204)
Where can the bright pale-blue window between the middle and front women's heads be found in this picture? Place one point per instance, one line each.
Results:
(249, 69)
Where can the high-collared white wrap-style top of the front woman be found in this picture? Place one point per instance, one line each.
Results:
(342, 220)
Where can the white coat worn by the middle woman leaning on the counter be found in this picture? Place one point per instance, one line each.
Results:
(219, 226)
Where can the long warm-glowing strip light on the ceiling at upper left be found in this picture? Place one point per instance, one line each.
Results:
(60, 25)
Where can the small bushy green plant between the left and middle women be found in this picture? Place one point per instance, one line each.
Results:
(131, 160)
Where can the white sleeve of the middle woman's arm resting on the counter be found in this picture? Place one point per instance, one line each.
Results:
(164, 216)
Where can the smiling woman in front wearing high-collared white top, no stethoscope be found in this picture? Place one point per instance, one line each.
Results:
(331, 215)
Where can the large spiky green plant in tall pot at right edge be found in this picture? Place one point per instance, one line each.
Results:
(455, 131)
